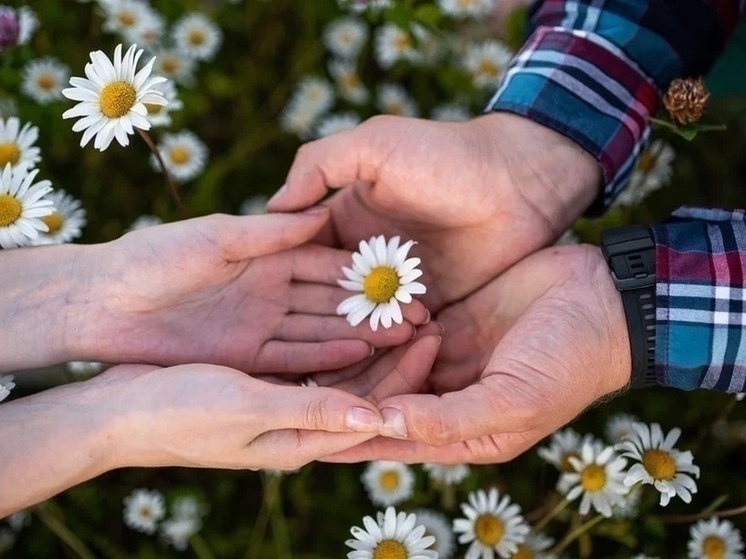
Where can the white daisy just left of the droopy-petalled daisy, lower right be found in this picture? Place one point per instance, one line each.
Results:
(598, 477)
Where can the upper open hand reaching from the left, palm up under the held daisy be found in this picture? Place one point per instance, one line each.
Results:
(243, 292)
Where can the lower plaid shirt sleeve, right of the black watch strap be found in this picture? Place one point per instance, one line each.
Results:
(700, 261)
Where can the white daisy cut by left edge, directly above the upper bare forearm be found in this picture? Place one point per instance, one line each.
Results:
(22, 205)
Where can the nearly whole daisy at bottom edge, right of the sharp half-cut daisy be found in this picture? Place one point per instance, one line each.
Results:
(492, 525)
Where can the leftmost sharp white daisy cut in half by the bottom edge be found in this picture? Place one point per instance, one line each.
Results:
(395, 536)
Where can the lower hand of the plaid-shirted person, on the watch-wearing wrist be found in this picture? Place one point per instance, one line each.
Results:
(520, 358)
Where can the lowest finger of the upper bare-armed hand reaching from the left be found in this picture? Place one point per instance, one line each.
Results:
(304, 357)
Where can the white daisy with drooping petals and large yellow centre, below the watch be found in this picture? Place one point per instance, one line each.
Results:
(659, 463)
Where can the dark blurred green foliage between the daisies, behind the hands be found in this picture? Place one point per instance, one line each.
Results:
(235, 108)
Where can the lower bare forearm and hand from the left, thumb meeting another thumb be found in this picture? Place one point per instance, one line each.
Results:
(190, 415)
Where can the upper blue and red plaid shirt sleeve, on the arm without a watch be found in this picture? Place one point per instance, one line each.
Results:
(593, 70)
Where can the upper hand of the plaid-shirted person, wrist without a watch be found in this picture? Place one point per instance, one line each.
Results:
(477, 196)
